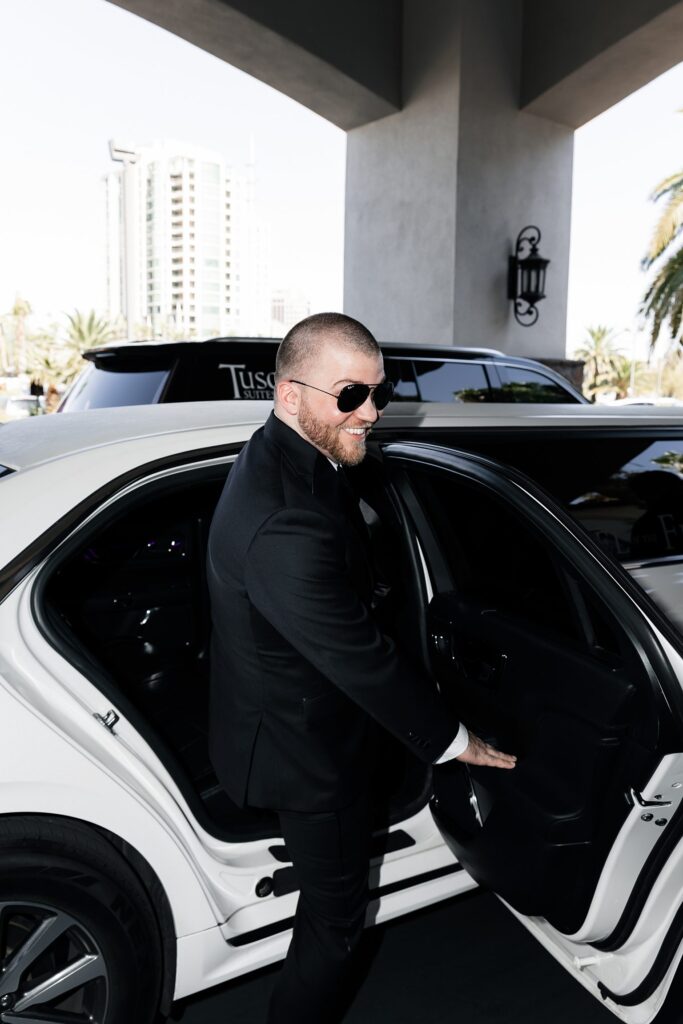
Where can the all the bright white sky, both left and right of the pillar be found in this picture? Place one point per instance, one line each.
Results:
(76, 73)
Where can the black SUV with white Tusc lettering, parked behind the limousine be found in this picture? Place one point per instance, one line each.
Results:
(145, 373)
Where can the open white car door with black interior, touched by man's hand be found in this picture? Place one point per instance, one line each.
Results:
(548, 650)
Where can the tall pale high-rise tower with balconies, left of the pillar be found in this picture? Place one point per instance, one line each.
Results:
(190, 227)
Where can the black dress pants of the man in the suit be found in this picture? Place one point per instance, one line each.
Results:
(331, 854)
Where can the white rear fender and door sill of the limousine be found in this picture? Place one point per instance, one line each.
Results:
(115, 781)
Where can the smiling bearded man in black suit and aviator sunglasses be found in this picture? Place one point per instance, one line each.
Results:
(301, 672)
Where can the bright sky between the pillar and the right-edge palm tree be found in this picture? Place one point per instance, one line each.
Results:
(620, 157)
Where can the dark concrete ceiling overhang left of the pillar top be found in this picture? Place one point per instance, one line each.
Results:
(341, 60)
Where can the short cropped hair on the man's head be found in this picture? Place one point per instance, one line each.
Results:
(301, 346)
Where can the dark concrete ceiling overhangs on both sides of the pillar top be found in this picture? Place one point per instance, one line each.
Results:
(344, 59)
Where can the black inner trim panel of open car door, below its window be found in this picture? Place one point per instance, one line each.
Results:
(571, 721)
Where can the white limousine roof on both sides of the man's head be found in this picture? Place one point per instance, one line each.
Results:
(36, 441)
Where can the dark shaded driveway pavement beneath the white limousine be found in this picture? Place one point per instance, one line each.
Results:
(464, 962)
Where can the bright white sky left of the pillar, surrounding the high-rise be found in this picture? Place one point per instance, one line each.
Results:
(75, 74)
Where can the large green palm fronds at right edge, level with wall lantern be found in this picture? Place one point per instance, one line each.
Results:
(663, 302)
